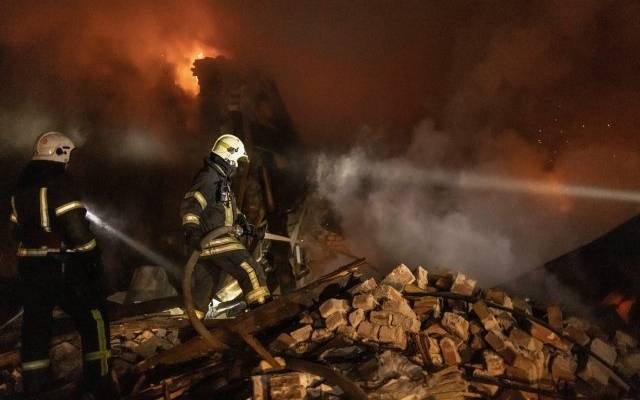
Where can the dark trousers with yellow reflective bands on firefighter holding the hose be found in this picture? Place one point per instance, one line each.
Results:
(241, 266)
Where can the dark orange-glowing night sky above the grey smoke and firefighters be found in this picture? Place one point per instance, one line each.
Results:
(530, 88)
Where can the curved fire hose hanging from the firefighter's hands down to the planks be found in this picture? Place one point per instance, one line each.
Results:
(186, 288)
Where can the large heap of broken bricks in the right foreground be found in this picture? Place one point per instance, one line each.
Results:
(414, 336)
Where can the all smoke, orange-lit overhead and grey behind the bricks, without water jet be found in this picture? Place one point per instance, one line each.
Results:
(544, 90)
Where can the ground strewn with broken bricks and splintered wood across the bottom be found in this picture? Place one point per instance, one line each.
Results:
(411, 336)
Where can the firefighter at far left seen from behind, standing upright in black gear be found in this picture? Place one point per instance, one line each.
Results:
(58, 264)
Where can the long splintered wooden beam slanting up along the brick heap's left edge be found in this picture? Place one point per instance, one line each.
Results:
(230, 332)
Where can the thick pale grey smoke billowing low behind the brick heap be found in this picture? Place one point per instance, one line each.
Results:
(407, 209)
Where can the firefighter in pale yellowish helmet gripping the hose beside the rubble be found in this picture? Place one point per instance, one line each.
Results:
(210, 204)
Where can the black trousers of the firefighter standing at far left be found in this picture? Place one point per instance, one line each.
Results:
(46, 282)
